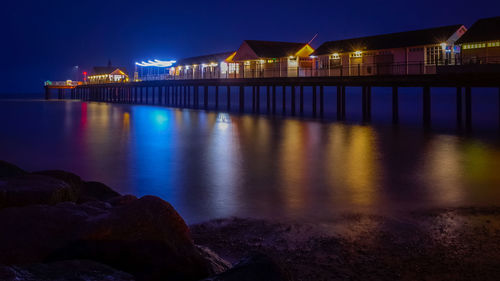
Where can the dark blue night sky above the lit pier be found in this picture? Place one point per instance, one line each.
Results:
(42, 40)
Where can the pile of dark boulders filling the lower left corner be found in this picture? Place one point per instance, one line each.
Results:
(56, 226)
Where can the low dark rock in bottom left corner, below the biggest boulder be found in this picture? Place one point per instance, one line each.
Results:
(75, 270)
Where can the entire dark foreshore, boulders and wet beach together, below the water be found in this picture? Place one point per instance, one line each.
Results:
(56, 226)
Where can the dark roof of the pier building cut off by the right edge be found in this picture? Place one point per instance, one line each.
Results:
(482, 30)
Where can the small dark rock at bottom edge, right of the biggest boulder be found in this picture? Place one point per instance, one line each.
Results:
(254, 268)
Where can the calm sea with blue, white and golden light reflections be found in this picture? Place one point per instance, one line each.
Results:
(213, 164)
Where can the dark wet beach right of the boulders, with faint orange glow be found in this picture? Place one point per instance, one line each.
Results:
(445, 244)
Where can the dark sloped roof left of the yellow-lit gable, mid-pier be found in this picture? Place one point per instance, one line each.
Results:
(274, 49)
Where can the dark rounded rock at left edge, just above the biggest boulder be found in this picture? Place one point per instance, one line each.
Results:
(34, 189)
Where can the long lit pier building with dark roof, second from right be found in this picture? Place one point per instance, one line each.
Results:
(402, 53)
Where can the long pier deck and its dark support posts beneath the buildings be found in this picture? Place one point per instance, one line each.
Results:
(200, 93)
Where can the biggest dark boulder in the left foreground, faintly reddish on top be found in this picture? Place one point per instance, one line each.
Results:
(145, 237)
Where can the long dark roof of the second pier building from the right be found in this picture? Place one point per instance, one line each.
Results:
(389, 41)
